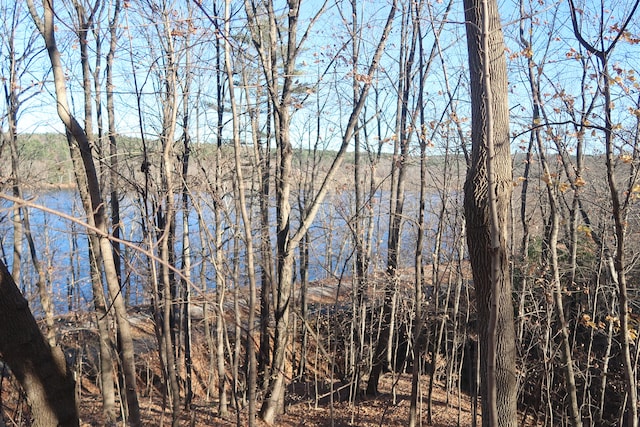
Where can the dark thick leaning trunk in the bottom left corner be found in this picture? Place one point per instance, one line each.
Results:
(40, 368)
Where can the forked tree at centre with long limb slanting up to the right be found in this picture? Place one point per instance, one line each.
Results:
(280, 86)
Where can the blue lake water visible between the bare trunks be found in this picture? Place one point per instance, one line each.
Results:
(62, 244)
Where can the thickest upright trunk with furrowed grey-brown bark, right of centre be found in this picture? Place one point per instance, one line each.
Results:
(487, 205)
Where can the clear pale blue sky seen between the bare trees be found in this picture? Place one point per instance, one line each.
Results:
(554, 45)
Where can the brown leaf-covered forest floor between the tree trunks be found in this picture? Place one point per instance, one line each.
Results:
(308, 403)
